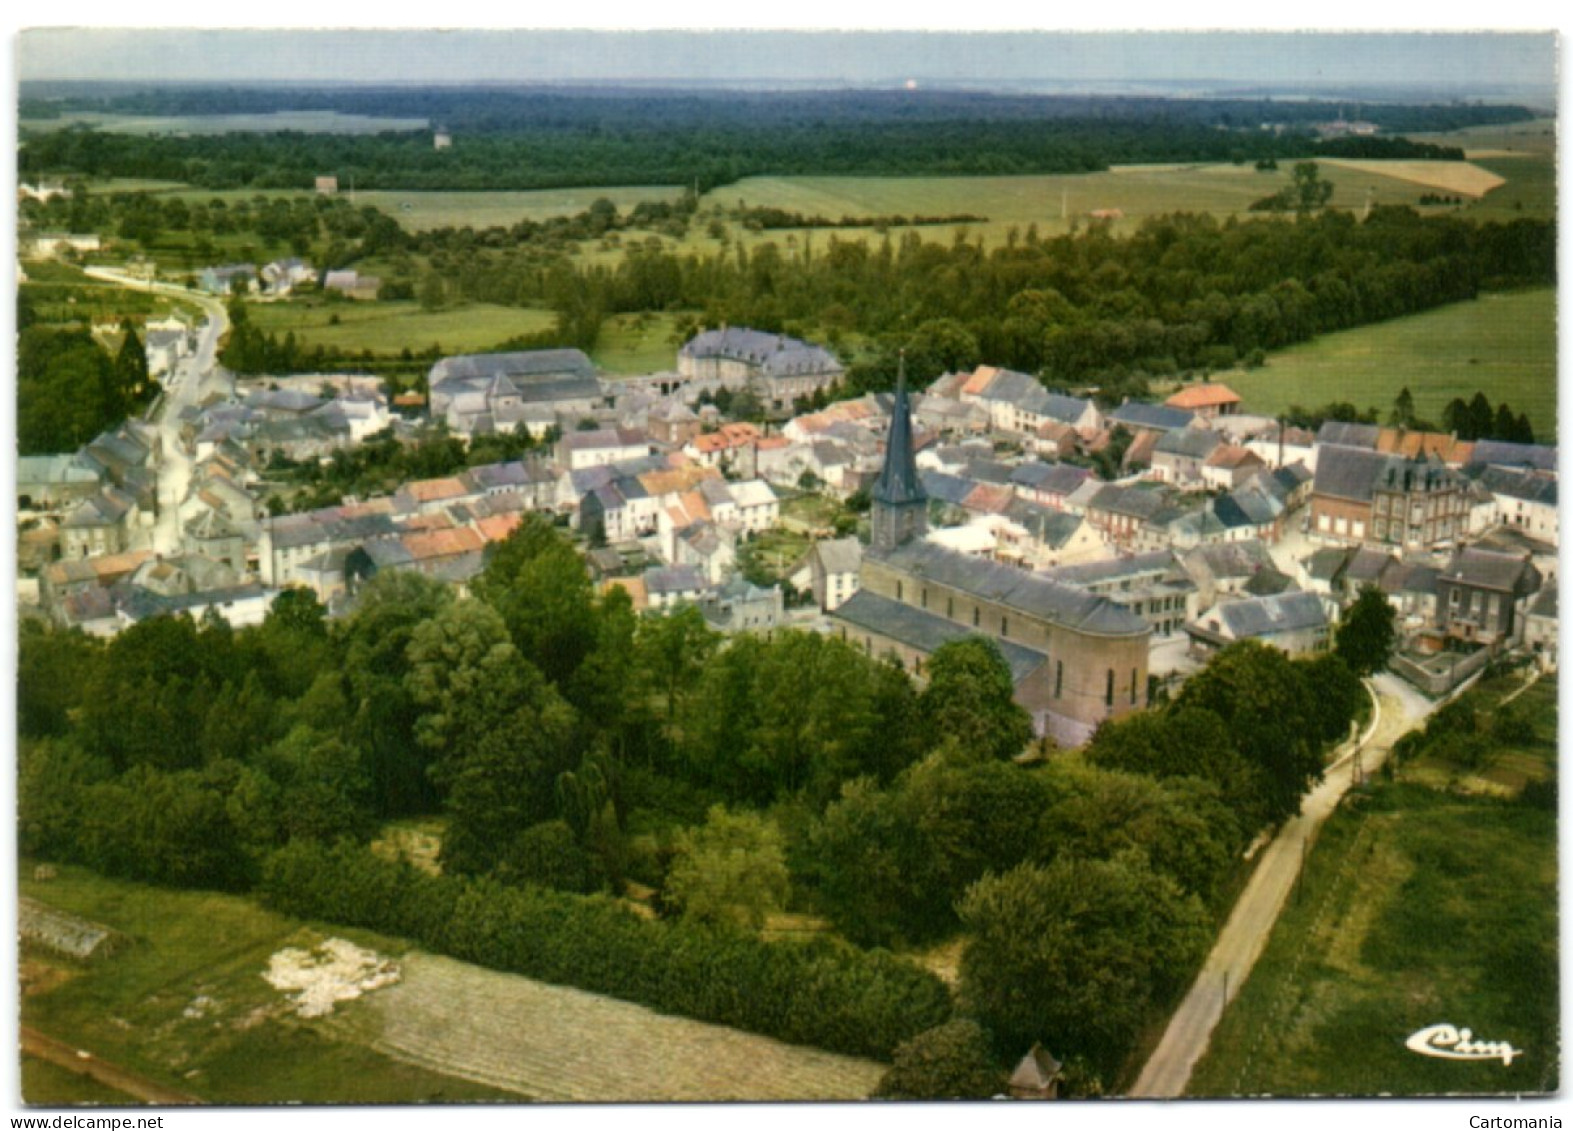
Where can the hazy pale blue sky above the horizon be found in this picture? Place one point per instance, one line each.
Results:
(1467, 61)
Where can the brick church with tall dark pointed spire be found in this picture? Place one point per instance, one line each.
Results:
(1077, 658)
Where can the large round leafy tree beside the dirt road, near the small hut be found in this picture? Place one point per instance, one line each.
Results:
(1078, 954)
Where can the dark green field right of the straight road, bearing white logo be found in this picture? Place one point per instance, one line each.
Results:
(1426, 902)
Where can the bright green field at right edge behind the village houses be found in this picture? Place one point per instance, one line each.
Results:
(1503, 345)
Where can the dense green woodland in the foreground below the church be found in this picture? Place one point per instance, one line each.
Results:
(573, 746)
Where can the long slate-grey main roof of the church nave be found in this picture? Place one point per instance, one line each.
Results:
(1017, 589)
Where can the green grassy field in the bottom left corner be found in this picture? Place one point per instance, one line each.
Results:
(139, 1009)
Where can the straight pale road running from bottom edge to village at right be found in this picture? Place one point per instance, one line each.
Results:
(1251, 923)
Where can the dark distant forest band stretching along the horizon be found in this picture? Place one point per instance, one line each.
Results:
(556, 138)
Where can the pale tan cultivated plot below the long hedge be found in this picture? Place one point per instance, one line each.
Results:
(570, 1047)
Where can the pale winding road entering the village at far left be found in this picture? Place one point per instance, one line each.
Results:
(193, 378)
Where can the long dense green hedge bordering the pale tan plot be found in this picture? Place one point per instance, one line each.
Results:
(822, 993)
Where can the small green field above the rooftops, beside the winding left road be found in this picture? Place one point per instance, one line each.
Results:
(388, 328)
